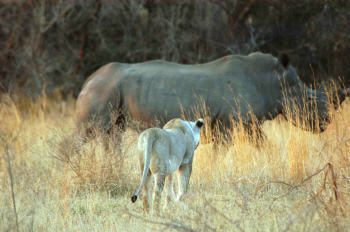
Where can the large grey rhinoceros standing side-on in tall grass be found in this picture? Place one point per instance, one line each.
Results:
(253, 87)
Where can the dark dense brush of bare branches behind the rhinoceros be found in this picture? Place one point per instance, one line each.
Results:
(58, 44)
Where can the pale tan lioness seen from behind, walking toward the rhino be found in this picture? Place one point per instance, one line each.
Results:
(162, 152)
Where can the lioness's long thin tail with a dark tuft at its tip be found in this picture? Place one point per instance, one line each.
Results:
(147, 149)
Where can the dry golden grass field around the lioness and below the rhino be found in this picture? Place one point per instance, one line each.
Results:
(280, 186)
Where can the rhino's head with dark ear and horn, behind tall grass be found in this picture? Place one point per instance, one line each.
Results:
(305, 107)
